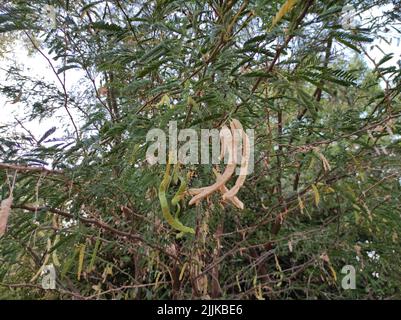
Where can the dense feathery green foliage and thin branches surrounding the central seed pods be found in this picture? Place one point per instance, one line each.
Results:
(326, 186)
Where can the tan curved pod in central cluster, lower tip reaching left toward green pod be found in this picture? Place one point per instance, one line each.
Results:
(230, 169)
